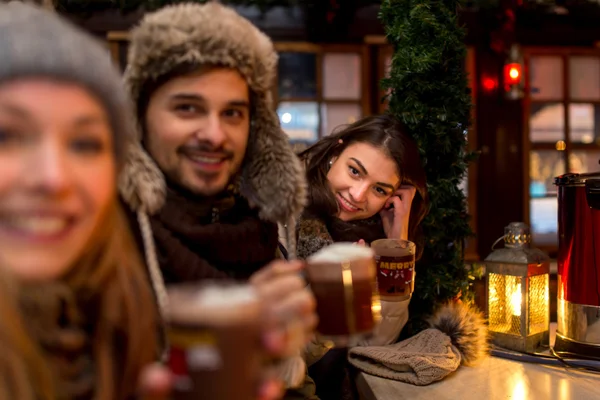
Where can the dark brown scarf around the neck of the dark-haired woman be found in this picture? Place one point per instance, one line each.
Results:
(314, 233)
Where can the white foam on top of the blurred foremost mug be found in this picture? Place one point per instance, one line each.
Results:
(213, 304)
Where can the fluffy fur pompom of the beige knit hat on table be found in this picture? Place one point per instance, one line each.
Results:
(466, 327)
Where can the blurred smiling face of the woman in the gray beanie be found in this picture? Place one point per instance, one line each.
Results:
(58, 175)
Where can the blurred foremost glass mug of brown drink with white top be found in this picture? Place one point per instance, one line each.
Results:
(215, 341)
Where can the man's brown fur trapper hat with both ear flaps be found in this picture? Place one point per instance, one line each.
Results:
(271, 177)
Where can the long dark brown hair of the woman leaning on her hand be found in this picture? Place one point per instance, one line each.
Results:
(381, 131)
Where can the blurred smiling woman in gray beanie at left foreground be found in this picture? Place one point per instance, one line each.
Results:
(77, 316)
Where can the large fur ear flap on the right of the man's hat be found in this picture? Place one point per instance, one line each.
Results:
(272, 175)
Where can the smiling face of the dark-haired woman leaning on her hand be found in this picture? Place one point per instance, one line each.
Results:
(362, 178)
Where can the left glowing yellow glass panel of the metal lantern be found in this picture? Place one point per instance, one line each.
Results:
(504, 299)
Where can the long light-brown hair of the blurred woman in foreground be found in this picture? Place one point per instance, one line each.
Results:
(124, 338)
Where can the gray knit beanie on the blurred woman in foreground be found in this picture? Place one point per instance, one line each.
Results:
(38, 43)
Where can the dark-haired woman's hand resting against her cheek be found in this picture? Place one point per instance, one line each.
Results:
(395, 219)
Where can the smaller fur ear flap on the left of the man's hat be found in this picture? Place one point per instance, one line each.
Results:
(142, 184)
